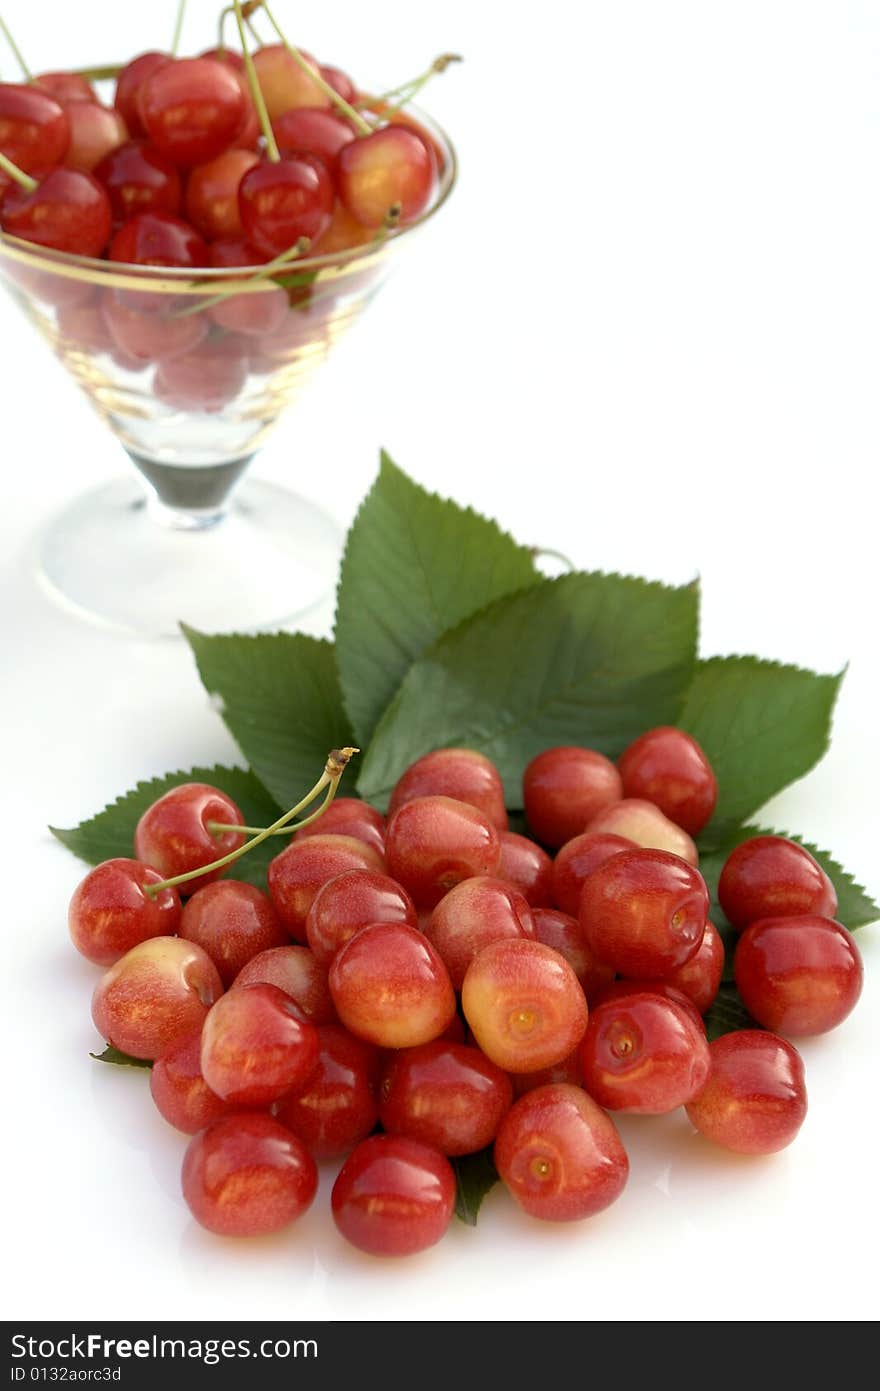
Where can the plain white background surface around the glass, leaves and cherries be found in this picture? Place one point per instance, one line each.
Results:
(644, 333)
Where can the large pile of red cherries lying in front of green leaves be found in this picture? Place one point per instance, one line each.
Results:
(448, 981)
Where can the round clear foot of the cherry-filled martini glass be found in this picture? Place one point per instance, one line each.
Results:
(122, 560)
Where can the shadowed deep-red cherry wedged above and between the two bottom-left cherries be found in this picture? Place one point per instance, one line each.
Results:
(339, 1108)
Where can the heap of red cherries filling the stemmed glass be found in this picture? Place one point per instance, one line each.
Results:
(220, 162)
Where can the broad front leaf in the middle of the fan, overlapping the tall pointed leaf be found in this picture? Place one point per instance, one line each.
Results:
(583, 660)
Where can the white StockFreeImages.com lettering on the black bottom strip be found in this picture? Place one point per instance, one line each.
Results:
(95, 1347)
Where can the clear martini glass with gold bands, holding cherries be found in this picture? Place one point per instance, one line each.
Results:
(191, 372)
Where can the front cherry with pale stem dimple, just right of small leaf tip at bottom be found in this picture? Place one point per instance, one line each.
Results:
(560, 1155)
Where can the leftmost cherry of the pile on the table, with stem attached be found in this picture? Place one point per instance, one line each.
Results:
(111, 913)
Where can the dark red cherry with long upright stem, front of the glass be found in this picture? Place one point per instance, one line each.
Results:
(286, 201)
